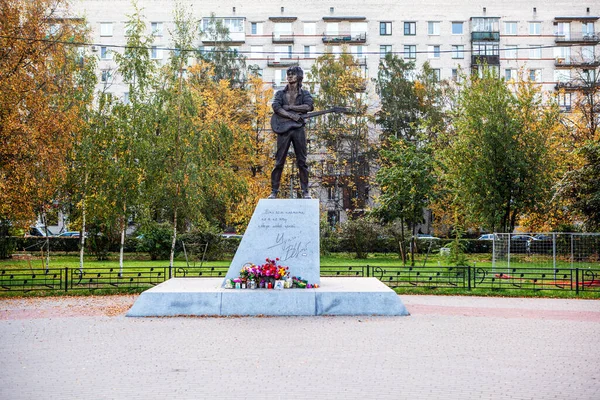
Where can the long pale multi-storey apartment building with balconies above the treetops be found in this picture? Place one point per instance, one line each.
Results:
(553, 42)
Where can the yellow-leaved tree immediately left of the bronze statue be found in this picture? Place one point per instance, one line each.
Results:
(223, 122)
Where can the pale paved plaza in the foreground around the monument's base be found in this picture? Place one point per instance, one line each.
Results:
(449, 348)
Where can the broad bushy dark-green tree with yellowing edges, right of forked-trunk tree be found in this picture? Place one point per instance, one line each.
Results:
(496, 166)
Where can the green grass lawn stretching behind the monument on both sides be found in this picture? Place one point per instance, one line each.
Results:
(390, 271)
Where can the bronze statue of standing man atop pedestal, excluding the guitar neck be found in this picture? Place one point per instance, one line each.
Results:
(288, 104)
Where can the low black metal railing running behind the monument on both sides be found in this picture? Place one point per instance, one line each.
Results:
(449, 277)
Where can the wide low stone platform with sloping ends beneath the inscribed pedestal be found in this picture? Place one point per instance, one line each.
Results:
(205, 296)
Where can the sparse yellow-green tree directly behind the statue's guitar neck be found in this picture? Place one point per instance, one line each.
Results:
(343, 140)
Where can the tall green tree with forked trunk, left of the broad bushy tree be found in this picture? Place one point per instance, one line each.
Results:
(411, 117)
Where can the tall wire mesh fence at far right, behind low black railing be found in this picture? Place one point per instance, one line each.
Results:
(548, 250)
